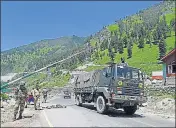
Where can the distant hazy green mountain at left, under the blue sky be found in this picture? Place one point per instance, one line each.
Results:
(38, 54)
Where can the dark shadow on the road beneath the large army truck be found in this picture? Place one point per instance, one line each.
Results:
(114, 112)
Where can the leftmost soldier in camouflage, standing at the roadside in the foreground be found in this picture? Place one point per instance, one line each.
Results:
(20, 97)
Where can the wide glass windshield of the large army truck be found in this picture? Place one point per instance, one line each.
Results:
(127, 73)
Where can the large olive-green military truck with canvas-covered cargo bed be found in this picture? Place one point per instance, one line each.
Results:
(117, 85)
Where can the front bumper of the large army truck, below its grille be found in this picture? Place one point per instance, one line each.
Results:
(125, 98)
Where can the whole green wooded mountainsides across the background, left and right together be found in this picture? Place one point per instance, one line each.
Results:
(142, 39)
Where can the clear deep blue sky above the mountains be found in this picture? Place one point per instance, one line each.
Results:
(27, 22)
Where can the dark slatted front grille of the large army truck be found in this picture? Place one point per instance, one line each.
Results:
(131, 90)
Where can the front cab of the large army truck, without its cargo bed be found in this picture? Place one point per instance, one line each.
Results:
(126, 89)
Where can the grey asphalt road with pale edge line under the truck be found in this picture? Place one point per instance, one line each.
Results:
(86, 116)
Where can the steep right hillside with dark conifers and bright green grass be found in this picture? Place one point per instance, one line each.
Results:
(142, 39)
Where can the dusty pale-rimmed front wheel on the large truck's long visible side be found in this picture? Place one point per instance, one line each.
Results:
(101, 105)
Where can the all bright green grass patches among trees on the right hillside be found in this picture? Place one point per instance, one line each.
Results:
(141, 57)
